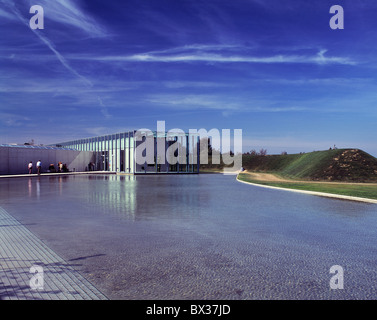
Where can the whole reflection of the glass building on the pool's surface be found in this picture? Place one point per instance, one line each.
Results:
(139, 197)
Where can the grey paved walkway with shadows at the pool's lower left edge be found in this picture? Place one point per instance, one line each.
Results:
(20, 250)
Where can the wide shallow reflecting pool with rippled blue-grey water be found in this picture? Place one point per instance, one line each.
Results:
(201, 236)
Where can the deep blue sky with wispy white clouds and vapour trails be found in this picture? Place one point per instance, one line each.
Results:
(274, 69)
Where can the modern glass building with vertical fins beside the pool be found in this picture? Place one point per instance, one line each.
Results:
(141, 152)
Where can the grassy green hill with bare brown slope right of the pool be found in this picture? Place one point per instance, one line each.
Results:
(331, 165)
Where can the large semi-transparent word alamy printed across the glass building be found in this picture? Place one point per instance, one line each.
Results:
(175, 146)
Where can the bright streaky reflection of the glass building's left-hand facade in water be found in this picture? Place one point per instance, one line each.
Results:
(116, 197)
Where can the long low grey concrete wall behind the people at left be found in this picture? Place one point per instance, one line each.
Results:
(14, 160)
